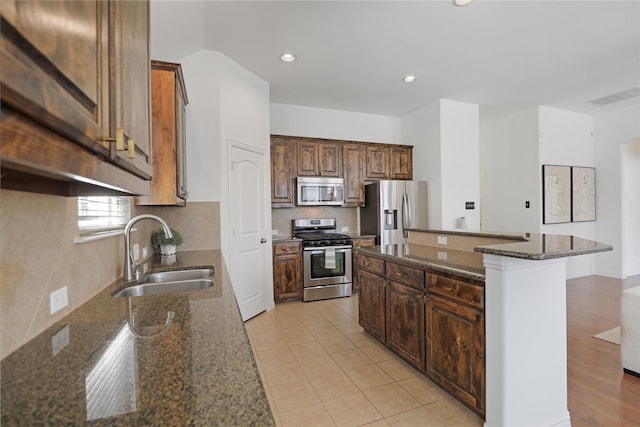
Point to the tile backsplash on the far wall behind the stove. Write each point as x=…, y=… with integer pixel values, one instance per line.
x=345, y=217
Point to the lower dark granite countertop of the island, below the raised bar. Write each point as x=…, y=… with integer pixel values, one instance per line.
x=460, y=263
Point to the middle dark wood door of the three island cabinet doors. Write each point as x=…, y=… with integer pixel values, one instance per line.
x=405, y=323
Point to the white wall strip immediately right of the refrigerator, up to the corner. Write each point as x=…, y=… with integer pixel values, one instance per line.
x=422, y=130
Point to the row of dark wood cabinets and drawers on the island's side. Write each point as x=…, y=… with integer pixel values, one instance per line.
x=441, y=333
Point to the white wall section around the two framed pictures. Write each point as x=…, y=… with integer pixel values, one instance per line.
x=565, y=138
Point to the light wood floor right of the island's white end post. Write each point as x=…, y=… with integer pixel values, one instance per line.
x=600, y=394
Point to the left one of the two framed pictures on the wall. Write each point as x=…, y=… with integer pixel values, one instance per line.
x=556, y=194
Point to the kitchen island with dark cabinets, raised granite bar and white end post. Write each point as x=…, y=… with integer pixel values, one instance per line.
x=483, y=315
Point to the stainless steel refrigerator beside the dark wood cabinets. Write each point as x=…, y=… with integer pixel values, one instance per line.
x=391, y=207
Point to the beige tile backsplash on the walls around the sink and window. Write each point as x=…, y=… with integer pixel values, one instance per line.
x=38, y=255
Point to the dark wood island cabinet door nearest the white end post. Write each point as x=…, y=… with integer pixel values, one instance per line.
x=455, y=349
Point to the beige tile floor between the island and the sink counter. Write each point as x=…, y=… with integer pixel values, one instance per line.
x=319, y=368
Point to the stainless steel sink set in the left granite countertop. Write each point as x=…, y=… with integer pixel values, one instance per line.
x=164, y=282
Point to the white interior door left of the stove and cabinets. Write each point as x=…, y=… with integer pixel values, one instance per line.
x=248, y=243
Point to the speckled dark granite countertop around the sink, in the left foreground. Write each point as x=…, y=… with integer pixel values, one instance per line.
x=89, y=368
